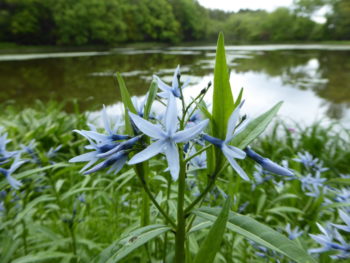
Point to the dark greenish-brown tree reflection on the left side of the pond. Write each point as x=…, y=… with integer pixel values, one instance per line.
x=87, y=79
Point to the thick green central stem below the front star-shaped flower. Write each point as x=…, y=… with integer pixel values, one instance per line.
x=180, y=236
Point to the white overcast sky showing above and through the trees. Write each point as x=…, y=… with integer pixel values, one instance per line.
x=269, y=5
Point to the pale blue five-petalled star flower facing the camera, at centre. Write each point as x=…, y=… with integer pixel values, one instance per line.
x=167, y=139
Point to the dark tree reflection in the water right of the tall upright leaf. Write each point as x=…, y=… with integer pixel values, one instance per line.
x=325, y=72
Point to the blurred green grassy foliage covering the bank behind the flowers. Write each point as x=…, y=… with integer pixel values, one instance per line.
x=62, y=216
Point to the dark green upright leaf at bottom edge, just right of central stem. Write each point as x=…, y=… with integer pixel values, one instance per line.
x=211, y=244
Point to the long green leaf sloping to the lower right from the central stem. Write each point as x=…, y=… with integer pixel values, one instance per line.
x=259, y=233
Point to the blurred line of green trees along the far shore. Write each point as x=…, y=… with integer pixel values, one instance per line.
x=106, y=22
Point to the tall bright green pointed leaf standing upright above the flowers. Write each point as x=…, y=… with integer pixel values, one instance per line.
x=222, y=94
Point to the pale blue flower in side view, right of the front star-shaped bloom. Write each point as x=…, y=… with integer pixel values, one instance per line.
x=230, y=151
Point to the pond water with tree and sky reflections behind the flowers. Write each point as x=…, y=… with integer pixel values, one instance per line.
x=313, y=81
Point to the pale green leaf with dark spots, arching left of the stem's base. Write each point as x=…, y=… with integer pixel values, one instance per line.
x=133, y=240
